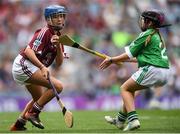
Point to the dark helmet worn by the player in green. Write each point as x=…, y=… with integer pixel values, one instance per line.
x=157, y=17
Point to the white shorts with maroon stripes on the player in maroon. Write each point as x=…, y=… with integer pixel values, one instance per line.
x=22, y=70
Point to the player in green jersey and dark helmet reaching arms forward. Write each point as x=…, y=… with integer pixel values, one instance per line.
x=149, y=50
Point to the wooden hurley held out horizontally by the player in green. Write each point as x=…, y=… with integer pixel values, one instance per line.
x=66, y=40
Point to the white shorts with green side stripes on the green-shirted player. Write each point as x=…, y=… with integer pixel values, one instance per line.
x=151, y=76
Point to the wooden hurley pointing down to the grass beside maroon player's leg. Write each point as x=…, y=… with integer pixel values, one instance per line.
x=68, y=117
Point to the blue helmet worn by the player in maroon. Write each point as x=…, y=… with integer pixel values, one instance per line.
x=52, y=10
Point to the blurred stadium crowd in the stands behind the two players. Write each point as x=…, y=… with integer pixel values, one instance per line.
x=103, y=25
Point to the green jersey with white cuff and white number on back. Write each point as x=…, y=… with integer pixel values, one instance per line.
x=153, y=53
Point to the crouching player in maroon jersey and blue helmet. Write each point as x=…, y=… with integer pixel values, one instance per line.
x=30, y=67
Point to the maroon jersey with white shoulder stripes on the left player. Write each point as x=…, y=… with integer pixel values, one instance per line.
x=42, y=46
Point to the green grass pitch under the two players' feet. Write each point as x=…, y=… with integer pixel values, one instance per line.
x=152, y=121
